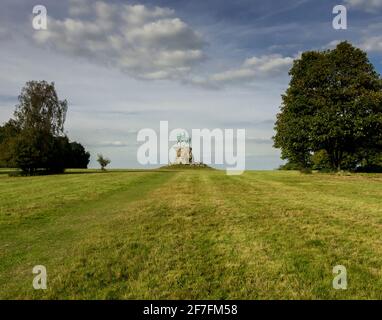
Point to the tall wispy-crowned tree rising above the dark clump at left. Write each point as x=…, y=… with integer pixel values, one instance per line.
x=40, y=115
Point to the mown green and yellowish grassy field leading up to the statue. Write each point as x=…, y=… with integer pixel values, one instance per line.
x=192, y=234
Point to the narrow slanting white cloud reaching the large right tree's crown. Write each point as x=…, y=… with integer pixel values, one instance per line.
x=252, y=69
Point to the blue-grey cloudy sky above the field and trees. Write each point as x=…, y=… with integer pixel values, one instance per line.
x=127, y=65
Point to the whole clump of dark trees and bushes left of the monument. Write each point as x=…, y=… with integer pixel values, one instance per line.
x=34, y=140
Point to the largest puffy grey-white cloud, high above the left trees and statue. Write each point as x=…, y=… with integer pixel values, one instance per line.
x=145, y=42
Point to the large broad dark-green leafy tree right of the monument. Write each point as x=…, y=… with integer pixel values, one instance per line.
x=333, y=103
